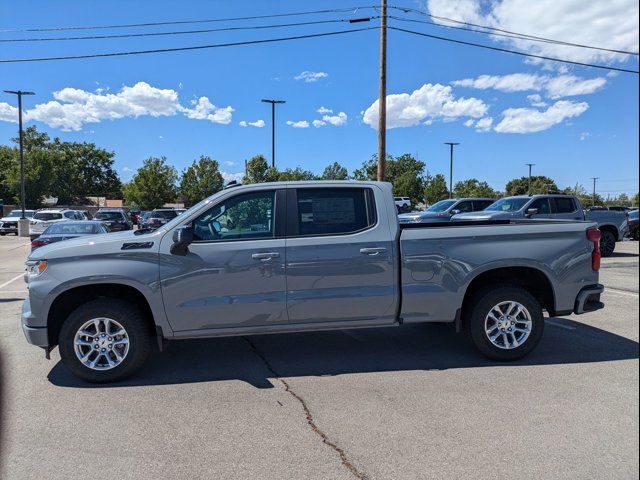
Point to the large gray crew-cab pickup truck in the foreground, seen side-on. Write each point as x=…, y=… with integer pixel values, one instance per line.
x=303, y=256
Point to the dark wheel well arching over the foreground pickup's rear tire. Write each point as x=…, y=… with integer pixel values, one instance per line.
x=531, y=279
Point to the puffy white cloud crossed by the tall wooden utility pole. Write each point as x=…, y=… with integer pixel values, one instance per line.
x=431, y=101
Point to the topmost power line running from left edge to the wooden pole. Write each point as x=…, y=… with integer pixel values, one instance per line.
x=184, y=22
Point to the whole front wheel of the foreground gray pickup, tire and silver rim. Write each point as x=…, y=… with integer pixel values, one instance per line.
x=104, y=340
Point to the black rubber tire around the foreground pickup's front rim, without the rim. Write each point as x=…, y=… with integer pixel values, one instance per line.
x=124, y=313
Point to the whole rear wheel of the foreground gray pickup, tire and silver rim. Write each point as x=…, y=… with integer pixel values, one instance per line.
x=506, y=323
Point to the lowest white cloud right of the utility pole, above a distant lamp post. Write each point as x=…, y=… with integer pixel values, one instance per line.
x=528, y=120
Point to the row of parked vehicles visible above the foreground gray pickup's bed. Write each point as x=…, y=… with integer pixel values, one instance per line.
x=612, y=221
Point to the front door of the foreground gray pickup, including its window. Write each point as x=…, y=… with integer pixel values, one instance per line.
x=233, y=275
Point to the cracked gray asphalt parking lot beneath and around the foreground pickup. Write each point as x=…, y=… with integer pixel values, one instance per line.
x=411, y=402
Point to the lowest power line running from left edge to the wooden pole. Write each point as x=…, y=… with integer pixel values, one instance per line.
x=182, y=49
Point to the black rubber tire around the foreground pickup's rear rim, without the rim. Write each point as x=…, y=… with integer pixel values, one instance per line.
x=480, y=306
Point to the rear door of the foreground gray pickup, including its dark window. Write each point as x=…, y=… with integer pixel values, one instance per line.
x=339, y=256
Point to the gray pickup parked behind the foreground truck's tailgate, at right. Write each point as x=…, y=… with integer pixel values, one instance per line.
x=612, y=224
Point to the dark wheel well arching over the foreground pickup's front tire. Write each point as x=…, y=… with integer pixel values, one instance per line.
x=71, y=299
